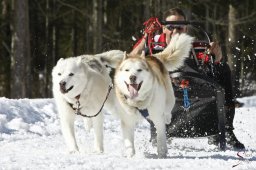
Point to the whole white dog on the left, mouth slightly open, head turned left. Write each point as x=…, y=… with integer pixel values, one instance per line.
x=82, y=86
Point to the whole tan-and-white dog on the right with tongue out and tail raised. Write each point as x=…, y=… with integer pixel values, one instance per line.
x=144, y=89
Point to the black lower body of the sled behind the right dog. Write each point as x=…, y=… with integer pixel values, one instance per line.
x=205, y=115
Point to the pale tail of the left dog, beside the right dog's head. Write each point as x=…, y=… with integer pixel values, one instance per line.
x=111, y=58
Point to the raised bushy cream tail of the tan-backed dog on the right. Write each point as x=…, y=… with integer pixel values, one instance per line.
x=175, y=53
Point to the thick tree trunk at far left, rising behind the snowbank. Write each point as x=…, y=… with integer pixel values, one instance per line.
x=20, y=60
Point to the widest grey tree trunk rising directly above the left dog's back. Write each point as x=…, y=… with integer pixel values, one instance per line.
x=97, y=25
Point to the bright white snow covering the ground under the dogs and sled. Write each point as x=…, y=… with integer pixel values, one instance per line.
x=30, y=138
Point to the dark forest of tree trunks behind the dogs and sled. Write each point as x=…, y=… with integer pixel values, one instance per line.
x=34, y=34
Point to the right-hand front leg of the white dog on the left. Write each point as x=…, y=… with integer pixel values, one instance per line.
x=98, y=133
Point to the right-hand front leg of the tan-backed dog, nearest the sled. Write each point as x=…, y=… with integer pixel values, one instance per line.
x=161, y=137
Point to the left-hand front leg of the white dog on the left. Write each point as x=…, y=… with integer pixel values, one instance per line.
x=67, y=127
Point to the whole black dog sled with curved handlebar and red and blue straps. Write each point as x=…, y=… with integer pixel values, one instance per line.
x=199, y=109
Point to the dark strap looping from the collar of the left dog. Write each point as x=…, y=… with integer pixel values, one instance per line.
x=77, y=109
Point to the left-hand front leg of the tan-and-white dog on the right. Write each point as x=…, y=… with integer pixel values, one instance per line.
x=128, y=137
